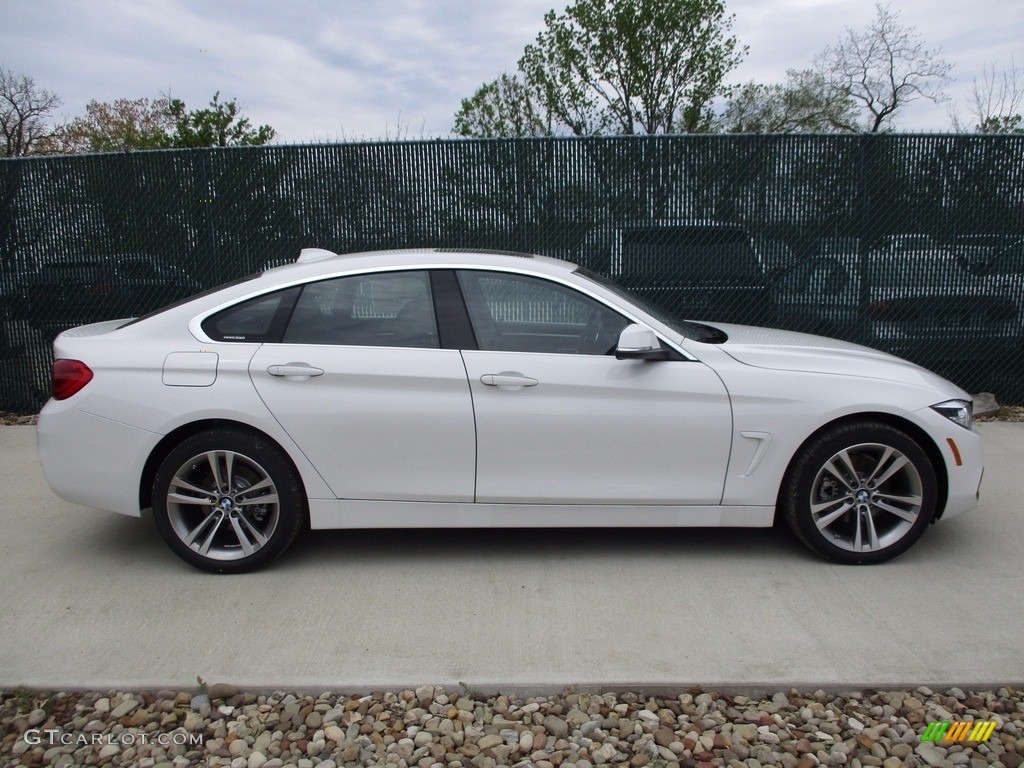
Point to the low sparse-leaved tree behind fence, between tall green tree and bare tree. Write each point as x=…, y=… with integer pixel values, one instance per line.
x=806, y=103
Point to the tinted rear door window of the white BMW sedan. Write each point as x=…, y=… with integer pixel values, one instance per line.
x=392, y=310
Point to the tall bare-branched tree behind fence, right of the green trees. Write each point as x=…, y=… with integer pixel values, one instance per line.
x=885, y=67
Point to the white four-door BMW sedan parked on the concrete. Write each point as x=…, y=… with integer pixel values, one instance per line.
x=448, y=389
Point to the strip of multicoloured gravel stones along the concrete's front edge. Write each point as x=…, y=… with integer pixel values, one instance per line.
x=431, y=728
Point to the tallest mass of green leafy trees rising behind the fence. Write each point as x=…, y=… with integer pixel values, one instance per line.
x=619, y=67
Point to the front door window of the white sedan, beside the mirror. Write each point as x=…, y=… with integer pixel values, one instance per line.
x=518, y=314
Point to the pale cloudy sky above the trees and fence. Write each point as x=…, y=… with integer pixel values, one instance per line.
x=337, y=70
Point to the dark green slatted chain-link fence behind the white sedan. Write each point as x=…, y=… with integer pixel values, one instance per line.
x=912, y=244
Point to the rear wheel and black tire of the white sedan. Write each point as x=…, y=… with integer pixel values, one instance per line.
x=229, y=501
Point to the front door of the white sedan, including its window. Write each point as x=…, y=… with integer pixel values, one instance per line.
x=561, y=420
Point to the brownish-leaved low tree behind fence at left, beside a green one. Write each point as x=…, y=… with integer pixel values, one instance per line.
x=125, y=124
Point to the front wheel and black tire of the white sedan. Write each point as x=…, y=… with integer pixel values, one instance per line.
x=861, y=494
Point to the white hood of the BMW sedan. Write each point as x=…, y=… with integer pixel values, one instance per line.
x=788, y=351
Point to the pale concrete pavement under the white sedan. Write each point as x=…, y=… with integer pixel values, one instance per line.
x=96, y=601
